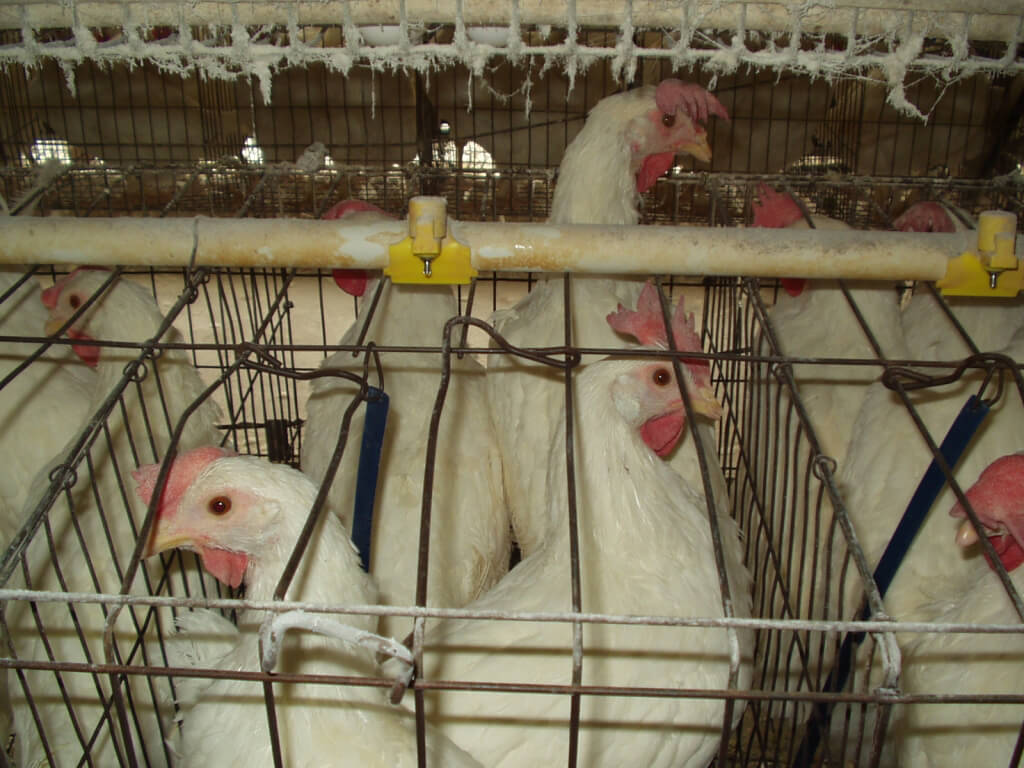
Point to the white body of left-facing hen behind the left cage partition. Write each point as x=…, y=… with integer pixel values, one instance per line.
x=107, y=528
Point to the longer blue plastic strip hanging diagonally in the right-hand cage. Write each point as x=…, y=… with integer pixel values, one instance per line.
x=956, y=442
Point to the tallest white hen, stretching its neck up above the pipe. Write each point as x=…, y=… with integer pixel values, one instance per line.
x=628, y=141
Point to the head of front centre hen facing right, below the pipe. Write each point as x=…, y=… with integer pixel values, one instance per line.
x=648, y=396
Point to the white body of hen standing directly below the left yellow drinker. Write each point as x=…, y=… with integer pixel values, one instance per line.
x=471, y=540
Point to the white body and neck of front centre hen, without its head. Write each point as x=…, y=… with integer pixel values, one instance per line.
x=645, y=548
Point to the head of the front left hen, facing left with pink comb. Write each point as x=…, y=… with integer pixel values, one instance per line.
x=210, y=505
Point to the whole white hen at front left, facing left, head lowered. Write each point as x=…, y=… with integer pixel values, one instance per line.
x=244, y=517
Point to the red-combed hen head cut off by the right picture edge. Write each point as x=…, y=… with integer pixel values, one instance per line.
x=998, y=498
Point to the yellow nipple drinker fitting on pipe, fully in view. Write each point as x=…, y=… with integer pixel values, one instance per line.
x=430, y=255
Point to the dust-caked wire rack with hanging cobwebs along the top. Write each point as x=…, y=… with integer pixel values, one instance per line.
x=892, y=42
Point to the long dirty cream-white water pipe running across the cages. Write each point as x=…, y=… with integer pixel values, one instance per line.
x=506, y=247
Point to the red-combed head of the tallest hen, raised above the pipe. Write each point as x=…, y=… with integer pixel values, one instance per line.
x=672, y=127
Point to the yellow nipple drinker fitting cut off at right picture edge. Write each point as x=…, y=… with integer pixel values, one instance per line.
x=994, y=269
